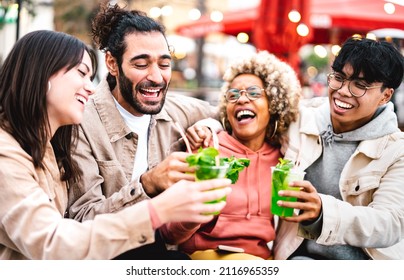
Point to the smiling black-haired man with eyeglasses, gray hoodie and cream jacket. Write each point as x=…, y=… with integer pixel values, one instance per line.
x=351, y=204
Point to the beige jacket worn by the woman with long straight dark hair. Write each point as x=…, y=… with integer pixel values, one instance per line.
x=33, y=202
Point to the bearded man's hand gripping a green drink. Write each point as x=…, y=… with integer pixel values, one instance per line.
x=171, y=170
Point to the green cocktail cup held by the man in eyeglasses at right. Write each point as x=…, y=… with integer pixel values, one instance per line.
x=280, y=181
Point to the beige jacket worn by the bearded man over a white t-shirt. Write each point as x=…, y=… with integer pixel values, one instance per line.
x=106, y=151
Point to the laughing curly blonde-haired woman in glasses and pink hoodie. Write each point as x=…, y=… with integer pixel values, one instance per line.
x=260, y=100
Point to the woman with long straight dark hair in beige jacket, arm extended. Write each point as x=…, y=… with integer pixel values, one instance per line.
x=45, y=83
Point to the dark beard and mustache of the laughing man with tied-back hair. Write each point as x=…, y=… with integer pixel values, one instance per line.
x=129, y=94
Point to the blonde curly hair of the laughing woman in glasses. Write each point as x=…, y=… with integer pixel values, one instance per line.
x=281, y=85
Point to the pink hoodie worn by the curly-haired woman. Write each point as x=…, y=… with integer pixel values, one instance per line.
x=246, y=221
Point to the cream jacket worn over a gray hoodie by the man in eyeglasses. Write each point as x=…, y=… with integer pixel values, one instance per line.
x=372, y=188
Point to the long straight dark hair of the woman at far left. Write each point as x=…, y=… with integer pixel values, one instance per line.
x=24, y=78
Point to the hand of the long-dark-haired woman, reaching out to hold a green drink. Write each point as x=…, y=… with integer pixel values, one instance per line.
x=185, y=201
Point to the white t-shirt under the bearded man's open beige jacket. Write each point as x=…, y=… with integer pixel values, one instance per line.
x=140, y=126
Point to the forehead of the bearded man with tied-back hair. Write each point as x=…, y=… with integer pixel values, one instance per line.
x=150, y=44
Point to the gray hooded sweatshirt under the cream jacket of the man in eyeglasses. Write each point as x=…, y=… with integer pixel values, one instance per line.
x=325, y=173
